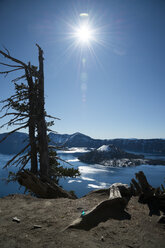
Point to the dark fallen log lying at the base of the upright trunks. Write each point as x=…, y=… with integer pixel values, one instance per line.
x=43, y=188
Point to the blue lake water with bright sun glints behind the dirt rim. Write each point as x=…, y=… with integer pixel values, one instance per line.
x=92, y=176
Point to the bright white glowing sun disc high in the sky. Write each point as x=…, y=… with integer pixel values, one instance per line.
x=84, y=34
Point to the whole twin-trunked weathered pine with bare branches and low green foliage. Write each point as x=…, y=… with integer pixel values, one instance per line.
x=27, y=110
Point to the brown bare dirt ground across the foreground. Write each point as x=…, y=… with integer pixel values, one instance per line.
x=56, y=214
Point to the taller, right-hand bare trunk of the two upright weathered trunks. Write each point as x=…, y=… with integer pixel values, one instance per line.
x=41, y=124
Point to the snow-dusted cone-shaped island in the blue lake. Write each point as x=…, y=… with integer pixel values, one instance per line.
x=110, y=155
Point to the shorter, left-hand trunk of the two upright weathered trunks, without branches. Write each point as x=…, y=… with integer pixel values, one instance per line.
x=32, y=122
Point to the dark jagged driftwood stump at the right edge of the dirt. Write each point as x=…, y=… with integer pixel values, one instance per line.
x=153, y=197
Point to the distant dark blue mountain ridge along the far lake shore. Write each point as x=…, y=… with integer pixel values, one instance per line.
x=16, y=141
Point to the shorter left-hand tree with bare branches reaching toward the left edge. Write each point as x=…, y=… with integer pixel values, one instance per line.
x=21, y=103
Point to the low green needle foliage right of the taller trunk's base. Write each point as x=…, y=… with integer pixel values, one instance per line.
x=56, y=171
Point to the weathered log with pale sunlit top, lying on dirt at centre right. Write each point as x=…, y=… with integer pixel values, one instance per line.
x=111, y=208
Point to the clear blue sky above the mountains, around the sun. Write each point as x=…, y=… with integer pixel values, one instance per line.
x=113, y=85
